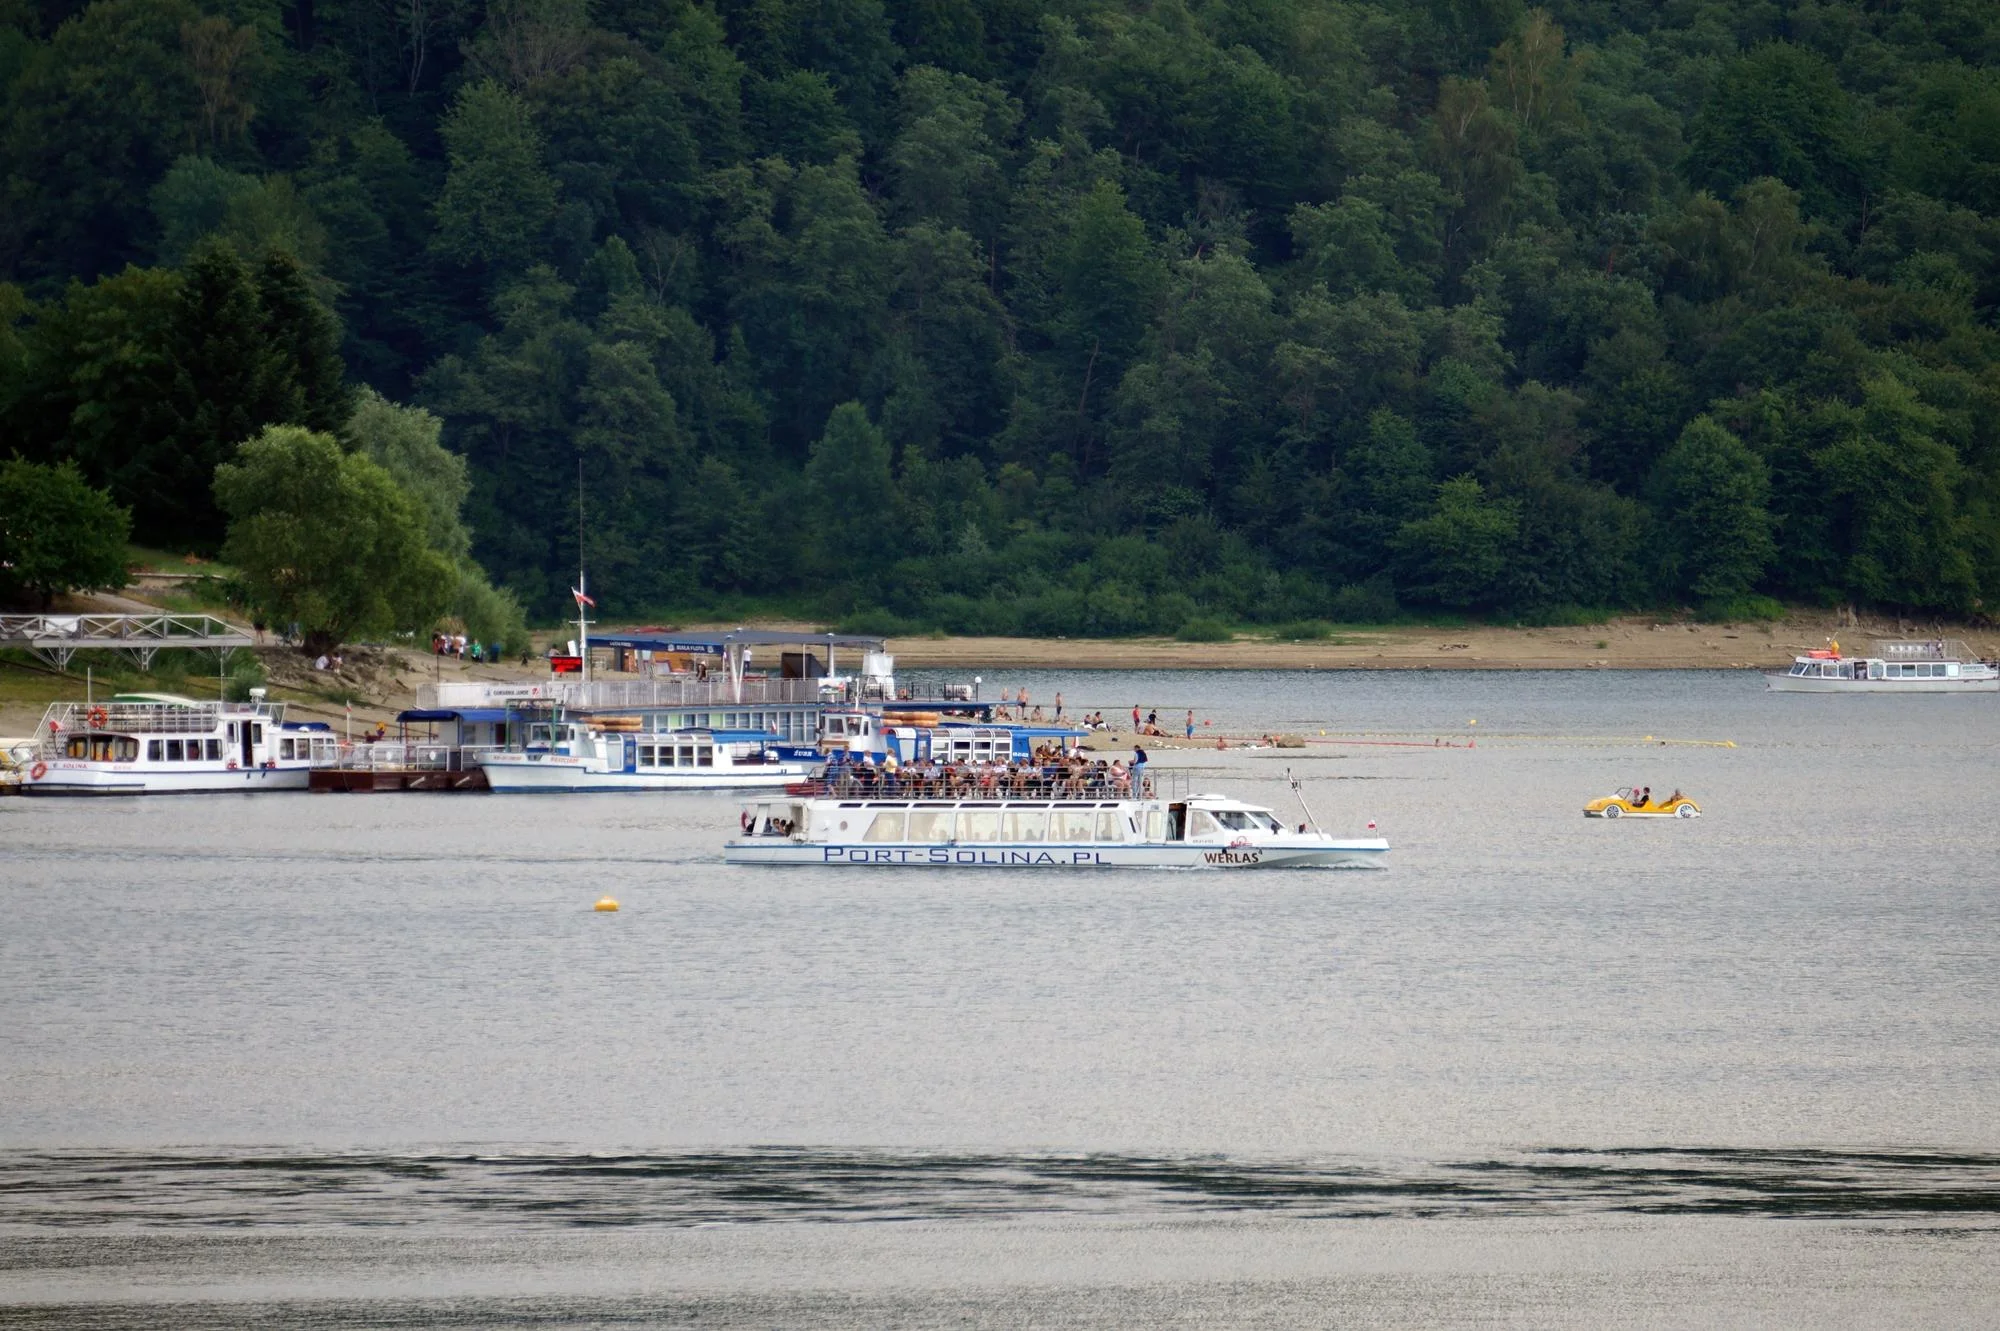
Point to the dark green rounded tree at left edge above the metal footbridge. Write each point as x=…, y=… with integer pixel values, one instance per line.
x=57, y=535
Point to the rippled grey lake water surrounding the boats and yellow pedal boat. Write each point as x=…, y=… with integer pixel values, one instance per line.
x=317, y=1060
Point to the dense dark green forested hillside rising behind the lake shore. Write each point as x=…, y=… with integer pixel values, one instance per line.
x=1047, y=317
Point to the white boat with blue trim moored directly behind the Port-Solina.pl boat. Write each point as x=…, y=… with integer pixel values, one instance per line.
x=605, y=754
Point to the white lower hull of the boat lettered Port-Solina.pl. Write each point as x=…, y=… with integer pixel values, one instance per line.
x=1293, y=854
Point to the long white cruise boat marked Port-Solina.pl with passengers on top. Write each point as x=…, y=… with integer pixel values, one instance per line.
x=1053, y=824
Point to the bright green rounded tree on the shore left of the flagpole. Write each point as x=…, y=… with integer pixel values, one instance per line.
x=327, y=541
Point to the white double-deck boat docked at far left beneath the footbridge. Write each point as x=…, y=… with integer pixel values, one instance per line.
x=163, y=744
